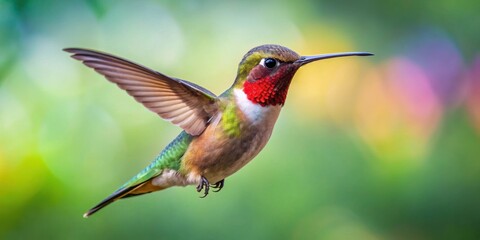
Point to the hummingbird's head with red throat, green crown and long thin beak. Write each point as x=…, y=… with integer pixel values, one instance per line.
x=266, y=71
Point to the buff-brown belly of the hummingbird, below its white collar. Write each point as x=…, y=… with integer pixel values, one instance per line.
x=217, y=155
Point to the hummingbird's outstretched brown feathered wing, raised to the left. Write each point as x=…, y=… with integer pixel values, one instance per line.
x=181, y=102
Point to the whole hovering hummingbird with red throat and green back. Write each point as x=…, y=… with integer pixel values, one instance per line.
x=221, y=134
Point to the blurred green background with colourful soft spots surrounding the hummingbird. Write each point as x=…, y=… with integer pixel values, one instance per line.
x=385, y=147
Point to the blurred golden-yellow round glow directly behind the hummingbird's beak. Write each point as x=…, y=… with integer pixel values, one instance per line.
x=325, y=90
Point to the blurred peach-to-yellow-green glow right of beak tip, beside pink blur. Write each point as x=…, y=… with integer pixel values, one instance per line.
x=385, y=126
